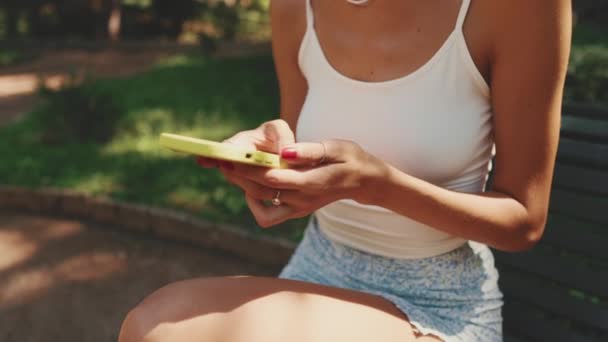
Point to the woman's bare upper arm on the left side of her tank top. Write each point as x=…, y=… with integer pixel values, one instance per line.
x=288, y=23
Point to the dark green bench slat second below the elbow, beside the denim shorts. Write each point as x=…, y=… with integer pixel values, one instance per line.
x=554, y=300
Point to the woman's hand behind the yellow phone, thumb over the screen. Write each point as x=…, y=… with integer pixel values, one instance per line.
x=270, y=136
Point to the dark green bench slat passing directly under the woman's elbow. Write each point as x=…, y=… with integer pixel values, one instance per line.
x=560, y=269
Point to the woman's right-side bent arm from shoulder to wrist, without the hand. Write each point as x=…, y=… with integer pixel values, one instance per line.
x=529, y=61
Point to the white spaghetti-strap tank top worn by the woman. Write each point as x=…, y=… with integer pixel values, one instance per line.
x=434, y=124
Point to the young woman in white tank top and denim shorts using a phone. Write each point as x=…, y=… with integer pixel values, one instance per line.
x=399, y=107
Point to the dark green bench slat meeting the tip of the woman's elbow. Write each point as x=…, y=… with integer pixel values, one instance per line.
x=576, y=236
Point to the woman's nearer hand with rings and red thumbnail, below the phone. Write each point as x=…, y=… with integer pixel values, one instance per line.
x=319, y=173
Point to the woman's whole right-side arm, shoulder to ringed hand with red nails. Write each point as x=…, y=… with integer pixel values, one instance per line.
x=530, y=50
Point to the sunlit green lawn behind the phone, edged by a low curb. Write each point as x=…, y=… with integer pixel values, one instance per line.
x=210, y=98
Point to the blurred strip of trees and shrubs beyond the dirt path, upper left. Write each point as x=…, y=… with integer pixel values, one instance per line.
x=140, y=19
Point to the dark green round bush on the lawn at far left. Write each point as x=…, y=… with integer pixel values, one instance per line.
x=83, y=113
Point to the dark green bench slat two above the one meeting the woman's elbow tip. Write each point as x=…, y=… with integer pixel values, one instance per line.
x=579, y=178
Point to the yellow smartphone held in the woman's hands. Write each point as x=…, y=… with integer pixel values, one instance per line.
x=221, y=151
